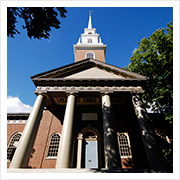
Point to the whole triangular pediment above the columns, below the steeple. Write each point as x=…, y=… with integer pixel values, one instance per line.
x=89, y=69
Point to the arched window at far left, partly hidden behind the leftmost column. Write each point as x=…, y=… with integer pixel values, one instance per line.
x=12, y=146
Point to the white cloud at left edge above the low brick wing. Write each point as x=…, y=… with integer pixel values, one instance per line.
x=14, y=105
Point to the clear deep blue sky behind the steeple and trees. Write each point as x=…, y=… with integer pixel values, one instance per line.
x=119, y=27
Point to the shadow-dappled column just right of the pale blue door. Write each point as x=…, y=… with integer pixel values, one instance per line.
x=111, y=152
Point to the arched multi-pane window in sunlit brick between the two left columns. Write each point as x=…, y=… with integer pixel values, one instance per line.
x=54, y=145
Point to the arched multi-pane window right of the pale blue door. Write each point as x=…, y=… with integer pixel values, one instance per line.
x=124, y=145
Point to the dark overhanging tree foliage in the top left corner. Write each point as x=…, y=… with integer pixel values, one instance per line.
x=38, y=20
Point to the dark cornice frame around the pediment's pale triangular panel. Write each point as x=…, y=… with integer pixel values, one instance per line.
x=58, y=74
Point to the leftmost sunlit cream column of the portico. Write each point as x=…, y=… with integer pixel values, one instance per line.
x=23, y=152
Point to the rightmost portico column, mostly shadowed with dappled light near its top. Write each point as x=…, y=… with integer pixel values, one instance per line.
x=151, y=145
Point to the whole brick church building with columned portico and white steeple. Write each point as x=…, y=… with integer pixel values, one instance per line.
x=87, y=114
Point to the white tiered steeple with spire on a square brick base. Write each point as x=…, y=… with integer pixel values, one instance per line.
x=90, y=45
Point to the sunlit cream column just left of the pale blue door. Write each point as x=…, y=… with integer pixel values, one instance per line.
x=64, y=152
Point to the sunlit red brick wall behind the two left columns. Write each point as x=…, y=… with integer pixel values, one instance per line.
x=49, y=124
